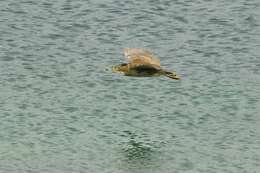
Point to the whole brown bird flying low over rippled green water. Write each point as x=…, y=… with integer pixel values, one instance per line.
x=142, y=63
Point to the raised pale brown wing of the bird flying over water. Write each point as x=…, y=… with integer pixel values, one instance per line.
x=139, y=57
